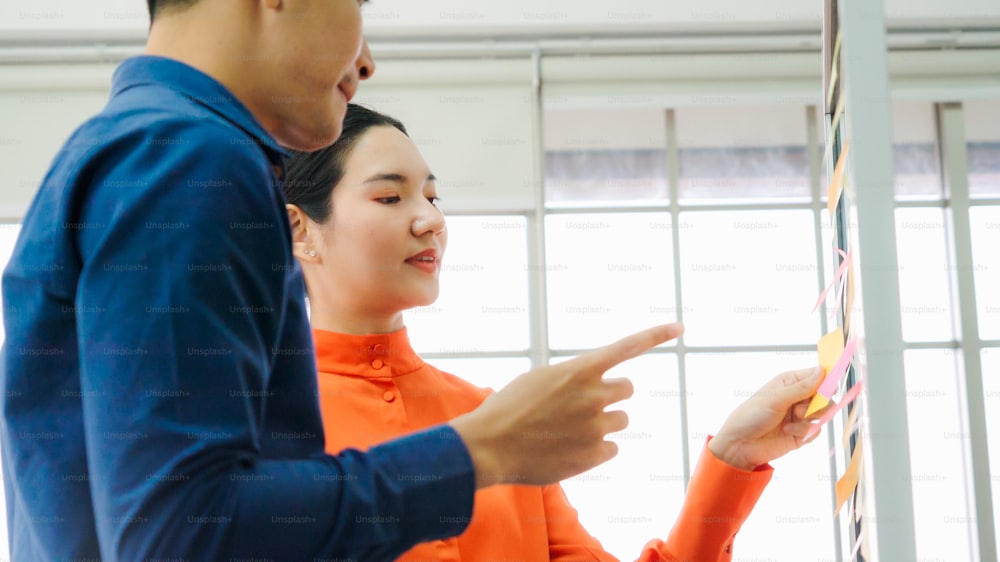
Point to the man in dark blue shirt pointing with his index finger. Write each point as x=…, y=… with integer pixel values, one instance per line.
x=159, y=387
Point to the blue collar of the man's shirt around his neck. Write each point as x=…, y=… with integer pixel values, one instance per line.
x=198, y=87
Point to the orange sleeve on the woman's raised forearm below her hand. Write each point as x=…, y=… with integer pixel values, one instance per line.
x=718, y=500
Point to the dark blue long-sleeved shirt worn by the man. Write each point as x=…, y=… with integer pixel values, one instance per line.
x=159, y=385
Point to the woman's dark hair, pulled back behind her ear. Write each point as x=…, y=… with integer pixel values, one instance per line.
x=311, y=176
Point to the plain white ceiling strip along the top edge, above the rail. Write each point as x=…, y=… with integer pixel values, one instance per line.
x=66, y=20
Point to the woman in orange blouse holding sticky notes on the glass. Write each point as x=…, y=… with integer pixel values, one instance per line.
x=372, y=248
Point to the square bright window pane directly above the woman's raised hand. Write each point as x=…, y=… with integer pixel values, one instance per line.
x=748, y=277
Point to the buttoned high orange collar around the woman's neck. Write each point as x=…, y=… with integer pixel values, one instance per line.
x=369, y=356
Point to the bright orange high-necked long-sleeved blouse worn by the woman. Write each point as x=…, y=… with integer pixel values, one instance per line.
x=373, y=388
